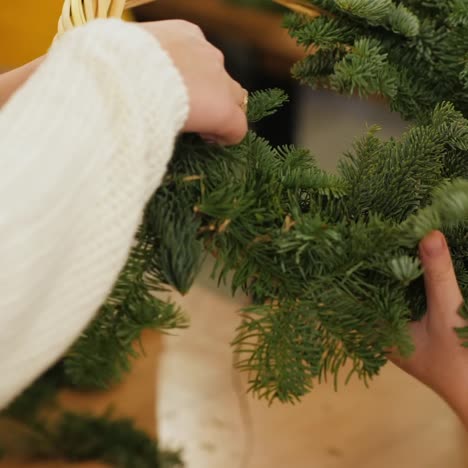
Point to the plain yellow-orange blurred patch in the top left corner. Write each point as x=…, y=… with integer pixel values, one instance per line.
x=27, y=28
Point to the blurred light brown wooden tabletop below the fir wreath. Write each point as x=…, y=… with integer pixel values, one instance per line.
x=202, y=407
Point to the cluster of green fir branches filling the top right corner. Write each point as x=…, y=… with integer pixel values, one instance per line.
x=415, y=54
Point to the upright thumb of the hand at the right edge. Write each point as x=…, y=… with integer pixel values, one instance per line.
x=442, y=291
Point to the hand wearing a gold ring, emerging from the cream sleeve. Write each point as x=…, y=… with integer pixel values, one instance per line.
x=216, y=100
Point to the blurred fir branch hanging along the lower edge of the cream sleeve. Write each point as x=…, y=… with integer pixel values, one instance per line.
x=104, y=351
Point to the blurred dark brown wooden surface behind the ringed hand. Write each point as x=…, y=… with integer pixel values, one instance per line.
x=258, y=28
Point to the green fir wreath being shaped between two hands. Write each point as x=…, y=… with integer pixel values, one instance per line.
x=330, y=260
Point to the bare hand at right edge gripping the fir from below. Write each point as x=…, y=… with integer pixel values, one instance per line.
x=440, y=361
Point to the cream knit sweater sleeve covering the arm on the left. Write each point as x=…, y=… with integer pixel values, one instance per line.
x=82, y=146
